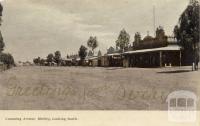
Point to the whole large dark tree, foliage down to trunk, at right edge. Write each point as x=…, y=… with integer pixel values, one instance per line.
x=187, y=31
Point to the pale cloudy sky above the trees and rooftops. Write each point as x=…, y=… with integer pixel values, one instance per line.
x=33, y=28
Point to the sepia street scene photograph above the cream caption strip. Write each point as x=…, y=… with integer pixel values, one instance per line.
x=100, y=55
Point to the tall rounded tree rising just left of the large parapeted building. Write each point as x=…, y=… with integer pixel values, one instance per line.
x=123, y=40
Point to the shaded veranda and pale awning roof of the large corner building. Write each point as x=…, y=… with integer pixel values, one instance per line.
x=154, y=57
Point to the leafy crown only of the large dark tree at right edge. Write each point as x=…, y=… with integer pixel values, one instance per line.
x=187, y=32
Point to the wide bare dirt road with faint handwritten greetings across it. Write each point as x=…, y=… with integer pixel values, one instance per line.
x=84, y=88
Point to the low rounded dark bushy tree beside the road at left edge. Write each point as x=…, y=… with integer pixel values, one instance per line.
x=7, y=59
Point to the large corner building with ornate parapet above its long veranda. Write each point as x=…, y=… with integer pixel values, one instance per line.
x=153, y=52
